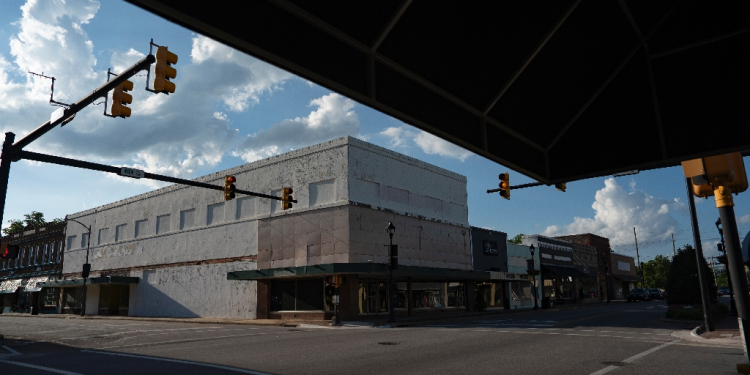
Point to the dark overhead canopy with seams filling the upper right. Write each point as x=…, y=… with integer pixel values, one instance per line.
x=557, y=90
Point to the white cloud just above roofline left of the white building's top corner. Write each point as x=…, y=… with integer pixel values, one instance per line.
x=332, y=119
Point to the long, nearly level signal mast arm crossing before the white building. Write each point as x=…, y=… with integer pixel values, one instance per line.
x=28, y=155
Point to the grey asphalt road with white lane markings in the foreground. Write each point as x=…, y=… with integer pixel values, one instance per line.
x=612, y=339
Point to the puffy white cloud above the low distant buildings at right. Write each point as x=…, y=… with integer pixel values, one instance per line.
x=618, y=211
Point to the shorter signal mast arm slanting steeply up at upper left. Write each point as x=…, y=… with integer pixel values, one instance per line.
x=74, y=108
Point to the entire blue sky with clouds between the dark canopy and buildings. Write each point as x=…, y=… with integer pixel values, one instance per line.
x=230, y=108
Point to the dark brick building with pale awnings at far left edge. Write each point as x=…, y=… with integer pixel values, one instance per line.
x=40, y=259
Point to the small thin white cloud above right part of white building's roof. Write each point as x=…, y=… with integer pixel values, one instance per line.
x=404, y=137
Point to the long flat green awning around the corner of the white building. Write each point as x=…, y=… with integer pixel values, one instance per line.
x=373, y=269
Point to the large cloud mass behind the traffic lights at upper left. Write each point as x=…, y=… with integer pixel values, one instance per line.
x=180, y=134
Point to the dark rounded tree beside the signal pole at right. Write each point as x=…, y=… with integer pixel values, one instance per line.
x=682, y=281
